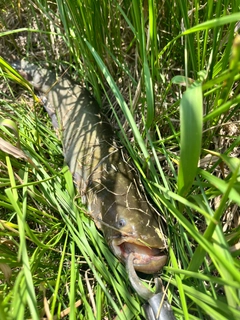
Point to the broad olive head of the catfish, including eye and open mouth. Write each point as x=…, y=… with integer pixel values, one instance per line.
x=130, y=225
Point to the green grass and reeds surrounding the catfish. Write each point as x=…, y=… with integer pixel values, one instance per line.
x=167, y=74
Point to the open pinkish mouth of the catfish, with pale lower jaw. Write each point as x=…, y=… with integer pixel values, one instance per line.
x=145, y=259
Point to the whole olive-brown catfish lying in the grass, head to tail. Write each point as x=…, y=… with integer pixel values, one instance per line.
x=108, y=185
